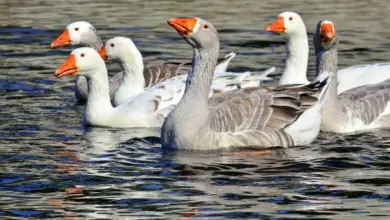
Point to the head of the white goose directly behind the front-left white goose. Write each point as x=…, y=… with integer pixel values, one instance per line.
x=120, y=48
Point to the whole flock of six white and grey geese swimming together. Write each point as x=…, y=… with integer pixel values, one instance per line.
x=201, y=106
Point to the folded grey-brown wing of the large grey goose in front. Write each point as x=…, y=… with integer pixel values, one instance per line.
x=257, y=117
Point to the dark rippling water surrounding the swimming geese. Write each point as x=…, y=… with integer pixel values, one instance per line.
x=51, y=167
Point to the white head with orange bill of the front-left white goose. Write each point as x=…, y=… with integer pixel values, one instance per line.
x=82, y=61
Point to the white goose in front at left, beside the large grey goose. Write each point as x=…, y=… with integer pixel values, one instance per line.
x=147, y=109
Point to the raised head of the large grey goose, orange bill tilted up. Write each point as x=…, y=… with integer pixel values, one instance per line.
x=197, y=32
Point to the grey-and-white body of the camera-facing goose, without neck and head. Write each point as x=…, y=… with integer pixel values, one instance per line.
x=362, y=108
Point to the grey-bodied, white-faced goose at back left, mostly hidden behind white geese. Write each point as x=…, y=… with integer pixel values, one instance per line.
x=84, y=33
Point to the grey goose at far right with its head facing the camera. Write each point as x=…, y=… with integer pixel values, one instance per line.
x=357, y=109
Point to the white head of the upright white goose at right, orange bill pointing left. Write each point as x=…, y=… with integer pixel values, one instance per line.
x=288, y=24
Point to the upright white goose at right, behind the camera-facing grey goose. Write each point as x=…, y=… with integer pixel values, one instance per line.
x=292, y=27
